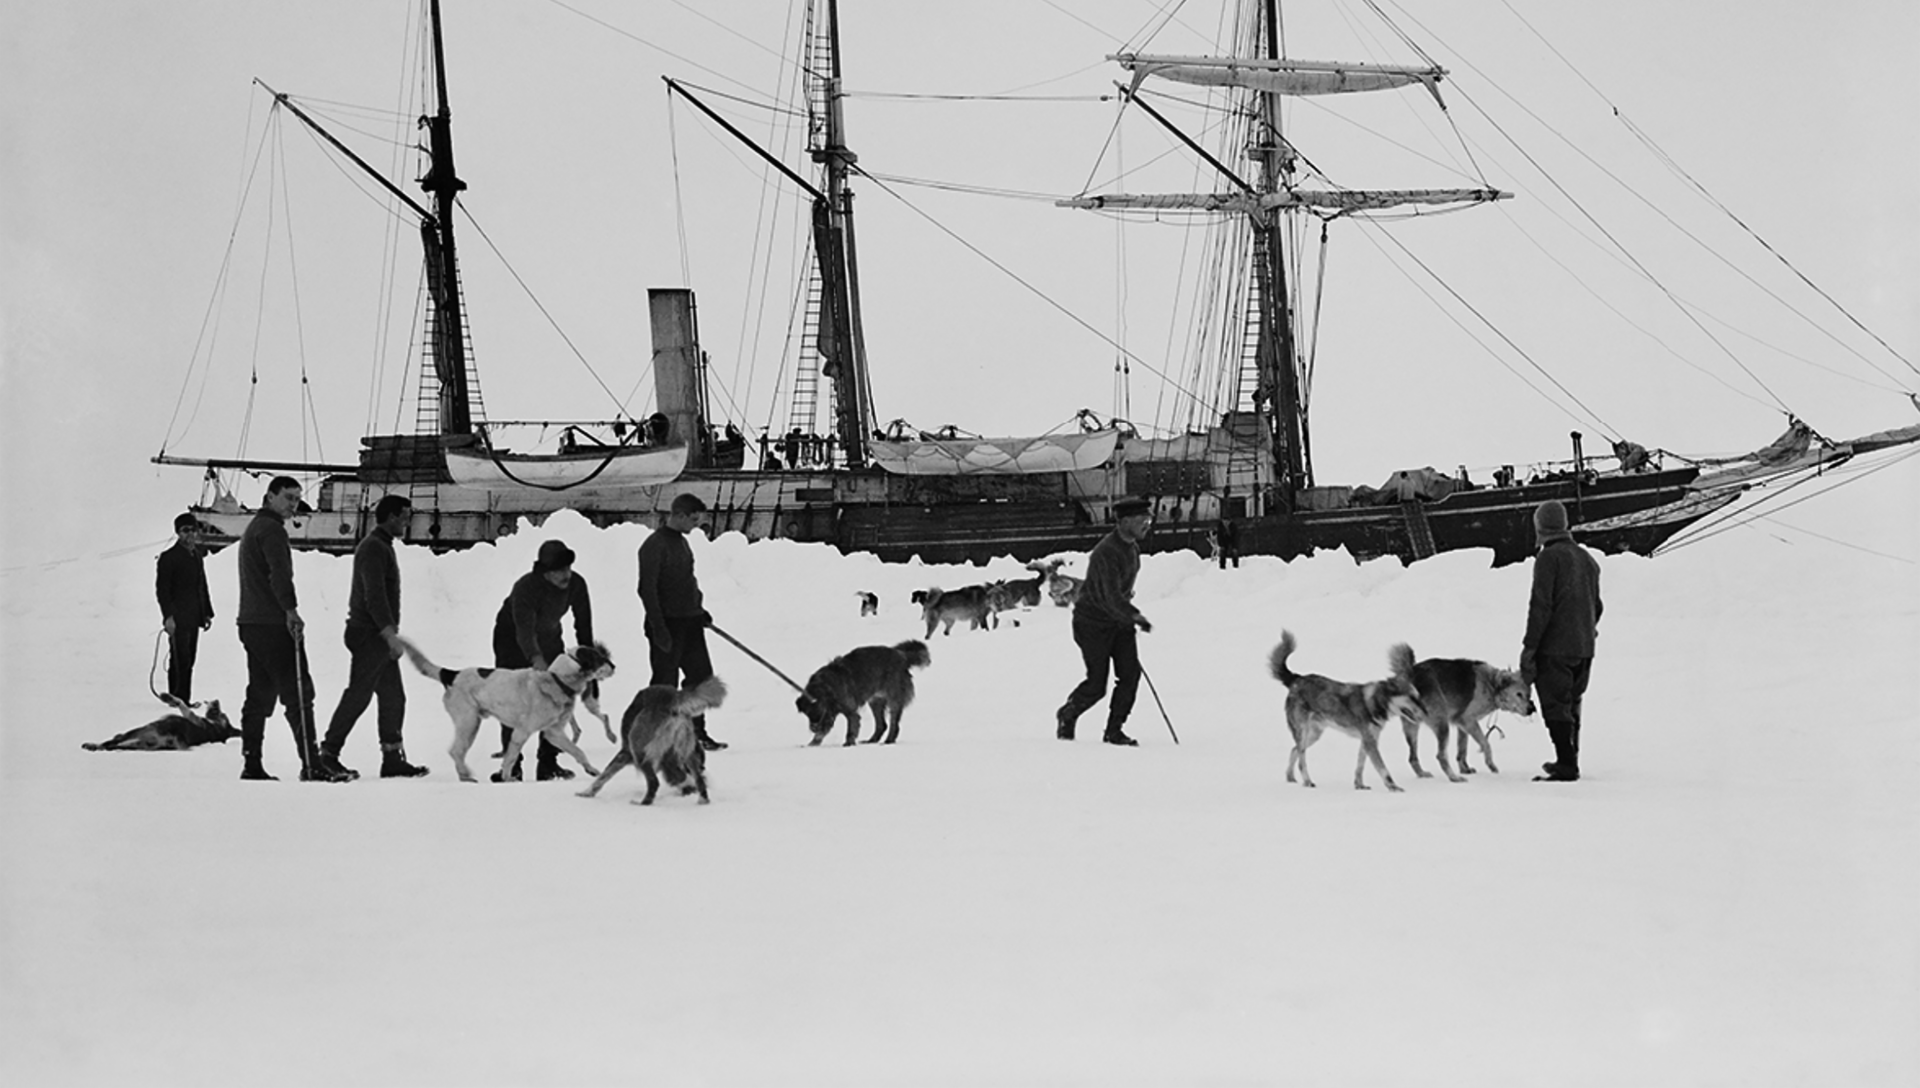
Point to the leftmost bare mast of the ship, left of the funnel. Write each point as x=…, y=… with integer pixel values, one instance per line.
x=443, y=270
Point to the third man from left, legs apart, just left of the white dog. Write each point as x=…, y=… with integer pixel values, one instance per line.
x=373, y=646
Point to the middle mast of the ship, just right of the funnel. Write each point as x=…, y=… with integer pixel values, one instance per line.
x=842, y=339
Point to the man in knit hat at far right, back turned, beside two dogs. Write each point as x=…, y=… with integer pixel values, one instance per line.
x=1562, y=625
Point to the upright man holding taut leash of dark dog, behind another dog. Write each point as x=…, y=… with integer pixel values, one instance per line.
x=677, y=615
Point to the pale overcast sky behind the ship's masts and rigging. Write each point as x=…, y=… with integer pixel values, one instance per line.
x=128, y=133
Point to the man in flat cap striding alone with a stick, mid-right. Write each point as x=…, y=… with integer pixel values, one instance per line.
x=1105, y=623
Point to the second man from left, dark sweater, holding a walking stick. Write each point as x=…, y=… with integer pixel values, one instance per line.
x=274, y=636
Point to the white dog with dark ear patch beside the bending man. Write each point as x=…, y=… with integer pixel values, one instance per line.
x=523, y=699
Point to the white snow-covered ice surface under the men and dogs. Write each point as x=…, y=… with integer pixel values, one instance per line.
x=1727, y=899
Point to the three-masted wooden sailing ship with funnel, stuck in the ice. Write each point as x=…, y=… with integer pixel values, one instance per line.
x=953, y=496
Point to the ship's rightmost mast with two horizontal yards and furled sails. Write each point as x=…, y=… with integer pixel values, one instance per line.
x=1272, y=201
